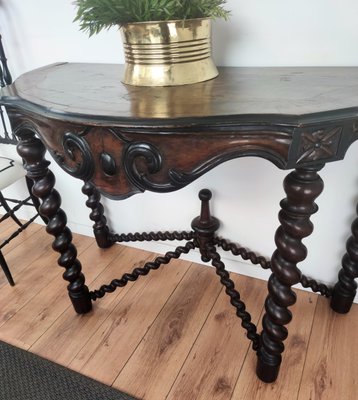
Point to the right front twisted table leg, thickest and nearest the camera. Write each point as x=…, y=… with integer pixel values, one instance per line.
x=302, y=186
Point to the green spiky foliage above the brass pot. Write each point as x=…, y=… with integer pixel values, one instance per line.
x=96, y=15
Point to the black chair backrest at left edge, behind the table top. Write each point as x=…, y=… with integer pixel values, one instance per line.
x=6, y=136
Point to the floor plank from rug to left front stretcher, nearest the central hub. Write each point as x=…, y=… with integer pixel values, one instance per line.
x=116, y=339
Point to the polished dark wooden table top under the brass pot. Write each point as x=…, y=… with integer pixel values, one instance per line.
x=75, y=91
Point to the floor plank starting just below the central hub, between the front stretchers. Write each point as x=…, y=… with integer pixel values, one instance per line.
x=163, y=350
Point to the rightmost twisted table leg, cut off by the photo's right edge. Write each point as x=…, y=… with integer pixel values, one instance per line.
x=346, y=288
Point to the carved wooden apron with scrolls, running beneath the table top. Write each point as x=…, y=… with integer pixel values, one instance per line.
x=122, y=161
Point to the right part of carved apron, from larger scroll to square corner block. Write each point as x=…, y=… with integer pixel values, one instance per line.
x=166, y=165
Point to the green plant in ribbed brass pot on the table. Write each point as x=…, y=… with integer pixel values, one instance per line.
x=166, y=42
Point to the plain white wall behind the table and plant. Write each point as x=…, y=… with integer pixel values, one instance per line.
x=246, y=191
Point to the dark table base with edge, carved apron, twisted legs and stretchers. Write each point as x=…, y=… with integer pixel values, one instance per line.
x=121, y=157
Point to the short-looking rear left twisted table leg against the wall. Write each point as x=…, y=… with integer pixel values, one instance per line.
x=100, y=228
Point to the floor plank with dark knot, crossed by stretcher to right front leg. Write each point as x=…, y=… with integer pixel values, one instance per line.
x=214, y=363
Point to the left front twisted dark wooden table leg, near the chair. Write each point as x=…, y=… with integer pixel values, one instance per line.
x=33, y=151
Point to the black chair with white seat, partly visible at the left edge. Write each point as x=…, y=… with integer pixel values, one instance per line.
x=11, y=171
